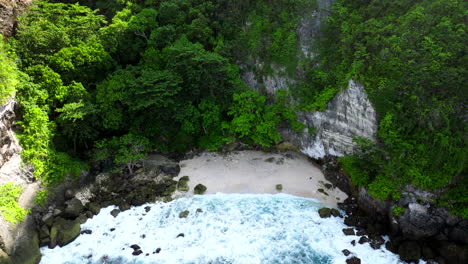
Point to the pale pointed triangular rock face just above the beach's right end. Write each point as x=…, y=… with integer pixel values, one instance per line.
x=350, y=114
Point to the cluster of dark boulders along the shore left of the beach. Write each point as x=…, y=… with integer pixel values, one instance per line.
x=60, y=224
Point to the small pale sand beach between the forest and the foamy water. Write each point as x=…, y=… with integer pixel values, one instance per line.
x=258, y=172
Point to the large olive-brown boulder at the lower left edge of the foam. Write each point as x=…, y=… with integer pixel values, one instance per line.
x=63, y=232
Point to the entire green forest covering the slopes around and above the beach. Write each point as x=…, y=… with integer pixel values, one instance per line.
x=113, y=80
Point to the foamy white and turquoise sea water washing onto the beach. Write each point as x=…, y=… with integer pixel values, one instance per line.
x=219, y=229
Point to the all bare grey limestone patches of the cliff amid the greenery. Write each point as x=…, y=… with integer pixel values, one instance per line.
x=350, y=114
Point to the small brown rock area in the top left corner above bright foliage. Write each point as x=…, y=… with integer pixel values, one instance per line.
x=9, y=11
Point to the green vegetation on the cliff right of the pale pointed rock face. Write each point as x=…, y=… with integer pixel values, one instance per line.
x=411, y=56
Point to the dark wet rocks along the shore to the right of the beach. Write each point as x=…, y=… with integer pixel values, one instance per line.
x=422, y=231
